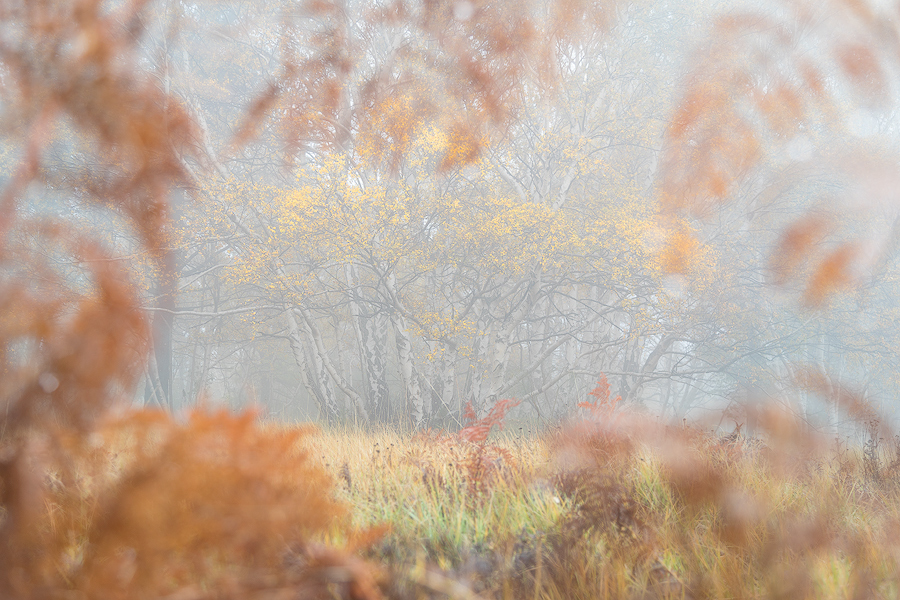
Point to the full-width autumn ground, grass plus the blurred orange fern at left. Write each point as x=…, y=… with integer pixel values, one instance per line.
x=215, y=505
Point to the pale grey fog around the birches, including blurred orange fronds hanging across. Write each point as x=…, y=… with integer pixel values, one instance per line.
x=375, y=230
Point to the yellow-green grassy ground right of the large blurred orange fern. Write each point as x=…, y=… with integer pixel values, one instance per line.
x=585, y=513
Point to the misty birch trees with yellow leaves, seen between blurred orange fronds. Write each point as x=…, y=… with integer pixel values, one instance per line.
x=350, y=282
